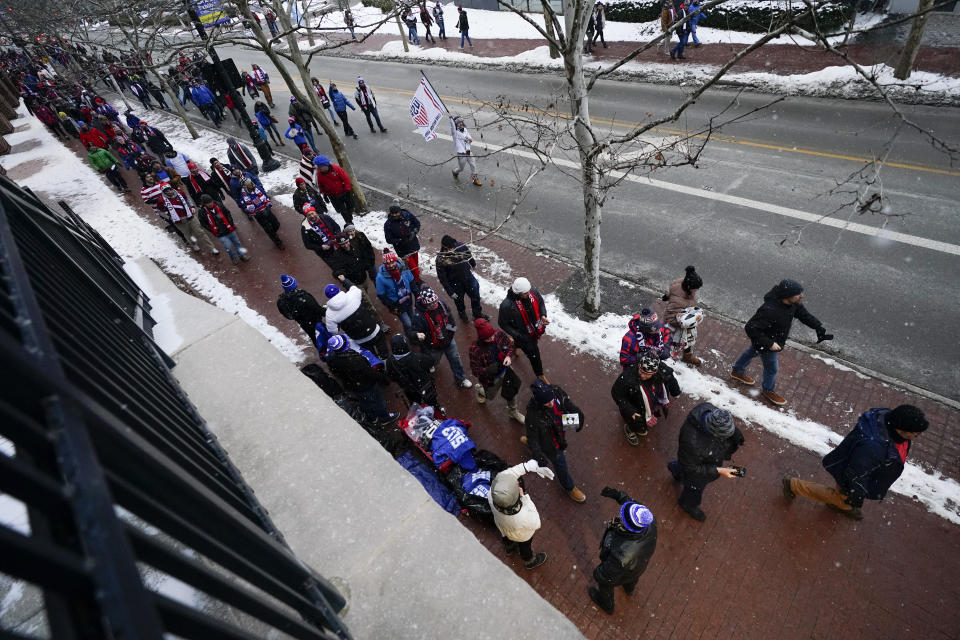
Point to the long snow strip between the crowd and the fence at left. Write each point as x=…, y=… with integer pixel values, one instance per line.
x=64, y=175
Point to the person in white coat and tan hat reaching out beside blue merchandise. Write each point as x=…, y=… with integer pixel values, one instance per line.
x=515, y=514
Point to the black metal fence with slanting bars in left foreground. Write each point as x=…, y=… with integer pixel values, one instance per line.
x=121, y=480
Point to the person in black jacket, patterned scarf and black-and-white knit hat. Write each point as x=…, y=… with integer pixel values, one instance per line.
x=642, y=393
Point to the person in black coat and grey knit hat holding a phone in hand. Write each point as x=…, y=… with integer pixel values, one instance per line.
x=707, y=438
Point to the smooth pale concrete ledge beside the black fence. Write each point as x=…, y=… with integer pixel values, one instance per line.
x=345, y=507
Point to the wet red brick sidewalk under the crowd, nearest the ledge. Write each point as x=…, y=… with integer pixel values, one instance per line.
x=759, y=567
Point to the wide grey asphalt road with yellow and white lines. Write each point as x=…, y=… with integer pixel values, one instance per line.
x=747, y=215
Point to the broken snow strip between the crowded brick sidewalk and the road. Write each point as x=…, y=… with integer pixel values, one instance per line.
x=601, y=337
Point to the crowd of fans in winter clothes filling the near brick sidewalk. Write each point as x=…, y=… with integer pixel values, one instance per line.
x=200, y=200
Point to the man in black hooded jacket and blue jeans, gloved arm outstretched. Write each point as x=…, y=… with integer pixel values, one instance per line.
x=768, y=331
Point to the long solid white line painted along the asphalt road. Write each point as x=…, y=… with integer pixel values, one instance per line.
x=797, y=214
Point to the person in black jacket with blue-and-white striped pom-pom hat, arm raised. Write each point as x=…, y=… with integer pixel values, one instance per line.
x=626, y=547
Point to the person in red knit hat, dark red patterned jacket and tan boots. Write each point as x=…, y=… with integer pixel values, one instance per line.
x=490, y=359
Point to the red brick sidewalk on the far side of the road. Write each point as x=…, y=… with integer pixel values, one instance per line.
x=781, y=59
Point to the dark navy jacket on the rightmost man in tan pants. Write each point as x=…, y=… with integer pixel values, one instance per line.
x=867, y=462
